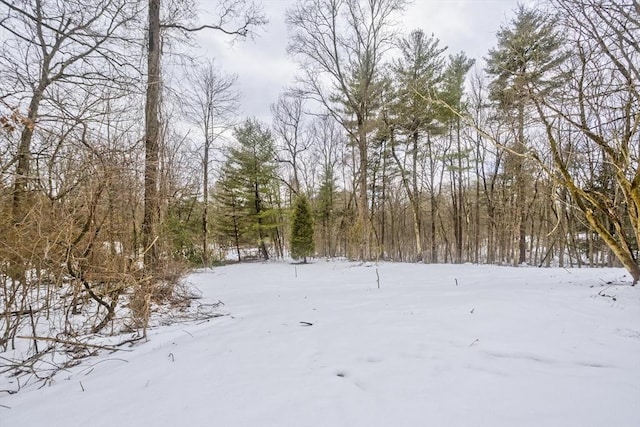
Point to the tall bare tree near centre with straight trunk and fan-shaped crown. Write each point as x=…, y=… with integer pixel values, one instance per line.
x=341, y=44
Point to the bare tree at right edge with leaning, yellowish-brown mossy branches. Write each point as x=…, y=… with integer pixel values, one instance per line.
x=595, y=115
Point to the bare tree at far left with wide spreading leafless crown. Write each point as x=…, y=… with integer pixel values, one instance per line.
x=53, y=44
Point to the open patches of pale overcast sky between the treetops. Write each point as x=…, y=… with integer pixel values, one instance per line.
x=264, y=69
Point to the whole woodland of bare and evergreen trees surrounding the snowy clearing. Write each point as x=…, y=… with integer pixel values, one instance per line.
x=124, y=161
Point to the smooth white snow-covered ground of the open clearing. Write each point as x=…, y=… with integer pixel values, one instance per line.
x=321, y=345
